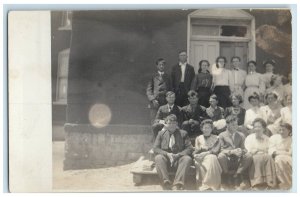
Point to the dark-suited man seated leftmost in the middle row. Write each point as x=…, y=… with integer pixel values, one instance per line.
x=164, y=111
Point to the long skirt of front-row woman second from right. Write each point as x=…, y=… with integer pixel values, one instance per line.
x=262, y=170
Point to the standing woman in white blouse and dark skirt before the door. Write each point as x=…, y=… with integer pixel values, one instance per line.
x=222, y=82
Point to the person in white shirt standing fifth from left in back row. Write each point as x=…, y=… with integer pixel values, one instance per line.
x=238, y=77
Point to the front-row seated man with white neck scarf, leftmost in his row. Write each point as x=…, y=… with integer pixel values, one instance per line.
x=173, y=148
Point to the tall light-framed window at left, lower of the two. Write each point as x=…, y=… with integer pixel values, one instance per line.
x=62, y=76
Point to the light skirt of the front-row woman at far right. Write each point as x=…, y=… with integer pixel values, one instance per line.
x=283, y=165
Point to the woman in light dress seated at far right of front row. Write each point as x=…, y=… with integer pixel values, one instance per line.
x=281, y=150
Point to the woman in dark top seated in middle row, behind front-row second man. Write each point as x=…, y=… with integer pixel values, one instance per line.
x=236, y=109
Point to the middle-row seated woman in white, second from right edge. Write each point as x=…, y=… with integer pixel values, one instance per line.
x=271, y=112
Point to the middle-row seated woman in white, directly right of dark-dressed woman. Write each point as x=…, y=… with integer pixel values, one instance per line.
x=253, y=112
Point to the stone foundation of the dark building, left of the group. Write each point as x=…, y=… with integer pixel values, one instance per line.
x=90, y=147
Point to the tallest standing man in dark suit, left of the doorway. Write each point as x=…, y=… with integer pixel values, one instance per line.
x=182, y=76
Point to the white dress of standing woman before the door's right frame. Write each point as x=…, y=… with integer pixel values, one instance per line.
x=253, y=83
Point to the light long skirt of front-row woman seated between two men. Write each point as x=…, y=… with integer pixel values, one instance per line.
x=208, y=171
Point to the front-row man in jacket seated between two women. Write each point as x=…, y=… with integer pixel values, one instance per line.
x=233, y=157
